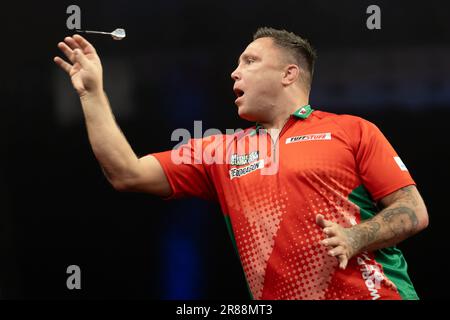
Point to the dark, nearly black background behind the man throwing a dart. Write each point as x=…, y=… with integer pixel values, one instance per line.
x=57, y=209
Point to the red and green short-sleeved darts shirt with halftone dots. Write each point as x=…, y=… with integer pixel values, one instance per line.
x=335, y=165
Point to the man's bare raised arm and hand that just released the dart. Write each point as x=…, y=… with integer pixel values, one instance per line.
x=124, y=170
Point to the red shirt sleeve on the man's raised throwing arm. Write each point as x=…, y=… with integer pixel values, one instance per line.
x=187, y=174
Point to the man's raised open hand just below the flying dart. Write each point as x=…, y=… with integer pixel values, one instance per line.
x=84, y=66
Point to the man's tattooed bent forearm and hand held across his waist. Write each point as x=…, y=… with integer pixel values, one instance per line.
x=404, y=215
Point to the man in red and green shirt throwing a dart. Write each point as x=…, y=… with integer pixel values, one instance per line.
x=310, y=229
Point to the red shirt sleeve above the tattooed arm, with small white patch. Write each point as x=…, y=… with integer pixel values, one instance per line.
x=380, y=168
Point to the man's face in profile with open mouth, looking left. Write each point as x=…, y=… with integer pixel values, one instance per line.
x=257, y=79
